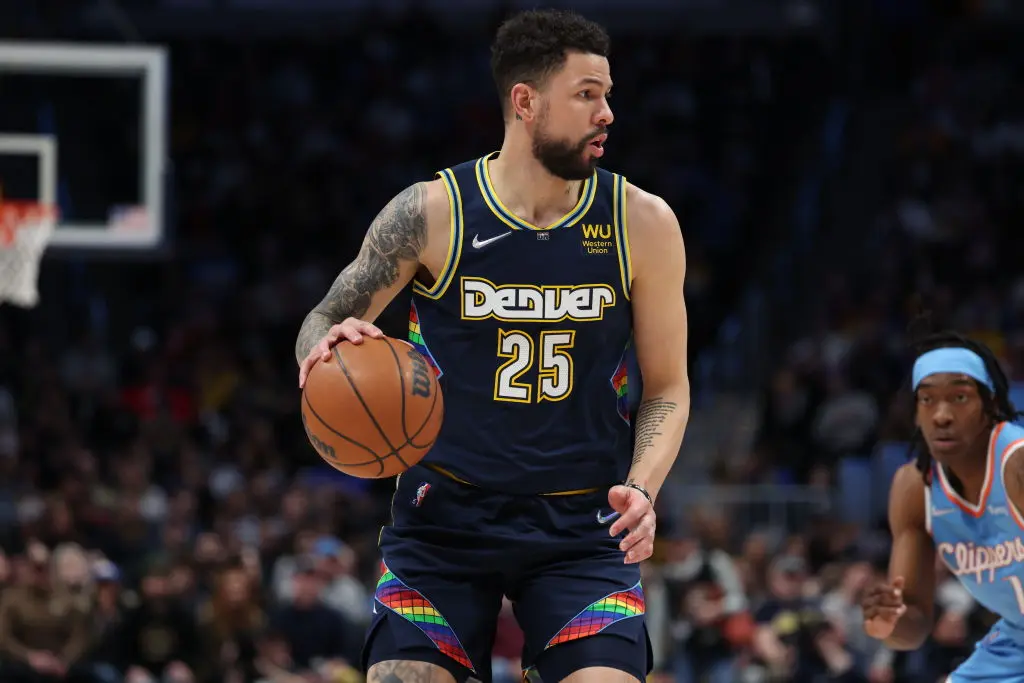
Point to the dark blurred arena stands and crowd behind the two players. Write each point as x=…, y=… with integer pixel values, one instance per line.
x=835, y=166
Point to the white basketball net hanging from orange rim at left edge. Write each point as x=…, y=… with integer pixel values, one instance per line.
x=25, y=230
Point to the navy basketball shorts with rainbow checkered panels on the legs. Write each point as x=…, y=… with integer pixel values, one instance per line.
x=455, y=550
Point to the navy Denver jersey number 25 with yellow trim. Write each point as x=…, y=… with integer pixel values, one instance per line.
x=528, y=330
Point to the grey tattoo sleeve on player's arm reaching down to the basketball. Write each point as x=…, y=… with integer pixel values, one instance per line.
x=398, y=234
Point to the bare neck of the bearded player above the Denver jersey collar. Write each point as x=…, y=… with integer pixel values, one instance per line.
x=527, y=188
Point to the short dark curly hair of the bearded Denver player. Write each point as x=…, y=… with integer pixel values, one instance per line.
x=533, y=46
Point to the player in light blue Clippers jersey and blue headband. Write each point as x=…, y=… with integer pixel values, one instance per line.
x=963, y=499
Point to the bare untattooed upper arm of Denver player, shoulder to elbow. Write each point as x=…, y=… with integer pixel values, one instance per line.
x=660, y=325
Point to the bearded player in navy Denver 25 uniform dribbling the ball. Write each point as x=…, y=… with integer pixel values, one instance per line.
x=533, y=272
